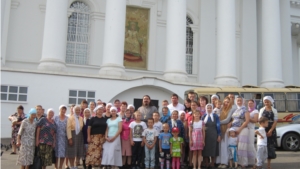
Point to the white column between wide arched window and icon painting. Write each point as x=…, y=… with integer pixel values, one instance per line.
x=113, y=51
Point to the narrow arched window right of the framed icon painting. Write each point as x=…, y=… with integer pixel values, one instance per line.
x=189, y=46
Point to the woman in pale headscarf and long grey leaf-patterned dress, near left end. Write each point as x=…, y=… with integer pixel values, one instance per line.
x=26, y=138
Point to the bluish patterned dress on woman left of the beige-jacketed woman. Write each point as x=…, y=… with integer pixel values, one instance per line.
x=61, y=137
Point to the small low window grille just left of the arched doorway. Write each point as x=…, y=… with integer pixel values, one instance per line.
x=76, y=96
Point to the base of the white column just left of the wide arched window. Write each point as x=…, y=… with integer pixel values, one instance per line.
x=52, y=65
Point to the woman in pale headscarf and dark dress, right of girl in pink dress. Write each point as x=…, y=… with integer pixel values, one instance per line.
x=212, y=136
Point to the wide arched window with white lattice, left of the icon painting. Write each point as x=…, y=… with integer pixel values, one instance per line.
x=78, y=34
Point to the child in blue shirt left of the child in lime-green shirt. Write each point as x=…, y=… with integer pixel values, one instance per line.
x=164, y=147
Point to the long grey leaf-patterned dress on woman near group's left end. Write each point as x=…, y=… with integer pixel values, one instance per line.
x=26, y=153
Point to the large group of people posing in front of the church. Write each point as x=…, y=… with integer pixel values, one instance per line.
x=194, y=134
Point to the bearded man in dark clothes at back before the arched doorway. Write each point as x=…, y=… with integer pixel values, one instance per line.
x=147, y=108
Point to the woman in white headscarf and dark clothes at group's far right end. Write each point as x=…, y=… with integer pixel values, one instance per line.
x=271, y=113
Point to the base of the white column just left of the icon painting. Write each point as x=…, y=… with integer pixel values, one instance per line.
x=112, y=70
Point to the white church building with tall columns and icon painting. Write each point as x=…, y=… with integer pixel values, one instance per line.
x=57, y=52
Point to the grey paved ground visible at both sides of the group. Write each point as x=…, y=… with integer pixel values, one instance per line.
x=284, y=160
